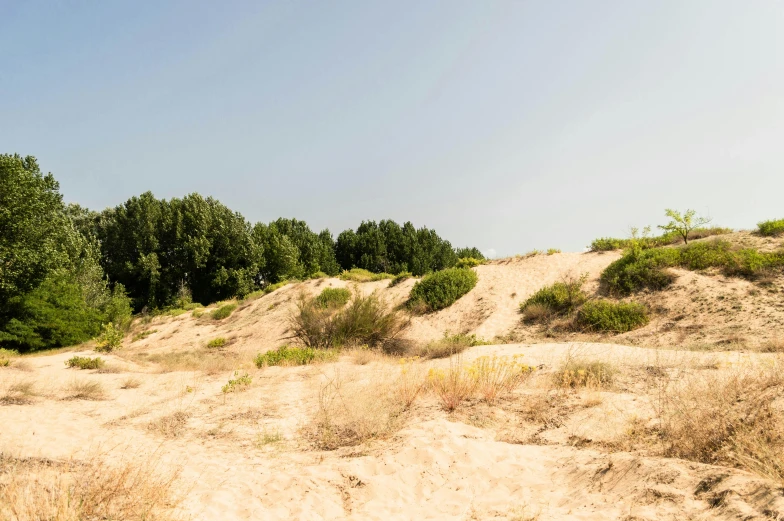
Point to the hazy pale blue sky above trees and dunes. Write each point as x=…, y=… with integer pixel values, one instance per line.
x=505, y=125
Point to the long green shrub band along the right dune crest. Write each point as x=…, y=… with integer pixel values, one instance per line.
x=640, y=269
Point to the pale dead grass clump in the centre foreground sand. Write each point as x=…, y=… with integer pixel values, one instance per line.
x=352, y=412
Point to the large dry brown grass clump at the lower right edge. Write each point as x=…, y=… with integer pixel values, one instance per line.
x=728, y=419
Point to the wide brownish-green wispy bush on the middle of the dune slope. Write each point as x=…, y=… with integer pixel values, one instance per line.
x=365, y=320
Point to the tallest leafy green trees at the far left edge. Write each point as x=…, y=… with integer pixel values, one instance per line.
x=52, y=289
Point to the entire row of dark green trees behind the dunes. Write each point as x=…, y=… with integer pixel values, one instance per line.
x=65, y=270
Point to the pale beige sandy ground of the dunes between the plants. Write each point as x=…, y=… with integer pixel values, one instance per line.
x=250, y=455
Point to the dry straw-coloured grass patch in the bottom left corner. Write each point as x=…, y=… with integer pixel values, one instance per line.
x=38, y=489
